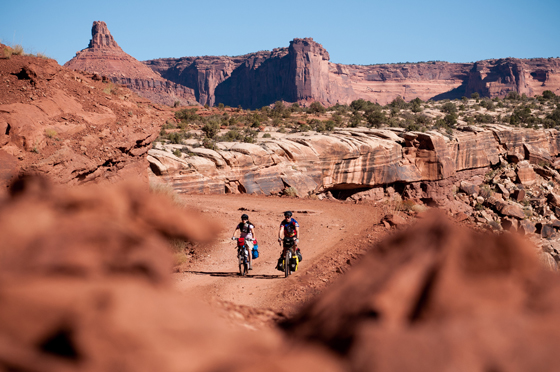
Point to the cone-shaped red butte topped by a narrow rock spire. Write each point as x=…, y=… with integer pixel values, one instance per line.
x=104, y=57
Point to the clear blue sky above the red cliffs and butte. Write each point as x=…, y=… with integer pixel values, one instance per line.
x=353, y=32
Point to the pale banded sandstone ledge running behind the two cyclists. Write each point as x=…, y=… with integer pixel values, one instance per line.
x=350, y=159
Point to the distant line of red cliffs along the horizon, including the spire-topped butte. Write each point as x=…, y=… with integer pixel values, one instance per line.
x=302, y=72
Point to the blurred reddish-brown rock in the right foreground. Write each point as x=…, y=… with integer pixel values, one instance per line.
x=429, y=296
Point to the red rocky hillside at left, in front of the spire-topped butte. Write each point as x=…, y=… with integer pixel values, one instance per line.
x=72, y=126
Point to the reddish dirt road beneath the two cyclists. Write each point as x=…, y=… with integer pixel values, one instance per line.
x=327, y=227
